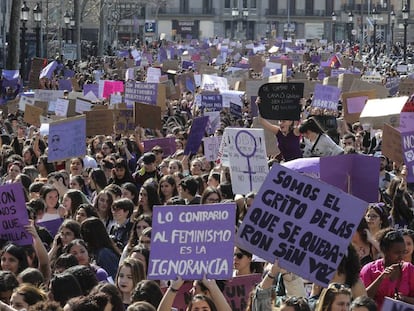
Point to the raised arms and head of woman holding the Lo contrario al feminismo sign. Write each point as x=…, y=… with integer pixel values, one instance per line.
x=216, y=301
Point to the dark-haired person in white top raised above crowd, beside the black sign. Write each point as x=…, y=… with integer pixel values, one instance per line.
x=317, y=143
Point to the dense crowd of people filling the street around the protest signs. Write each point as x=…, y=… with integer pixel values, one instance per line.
x=98, y=259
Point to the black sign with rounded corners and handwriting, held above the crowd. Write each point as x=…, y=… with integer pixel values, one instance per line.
x=281, y=101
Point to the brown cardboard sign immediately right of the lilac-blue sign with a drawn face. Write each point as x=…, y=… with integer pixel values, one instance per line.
x=99, y=122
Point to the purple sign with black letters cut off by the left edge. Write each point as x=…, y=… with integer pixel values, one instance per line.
x=14, y=215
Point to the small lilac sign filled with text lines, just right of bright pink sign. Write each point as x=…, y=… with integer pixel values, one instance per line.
x=145, y=93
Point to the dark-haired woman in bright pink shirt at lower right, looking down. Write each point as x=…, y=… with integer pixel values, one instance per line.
x=389, y=276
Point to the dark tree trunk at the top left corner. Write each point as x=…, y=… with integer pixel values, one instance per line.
x=13, y=53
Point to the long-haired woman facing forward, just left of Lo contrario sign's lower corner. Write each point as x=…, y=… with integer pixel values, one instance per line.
x=130, y=272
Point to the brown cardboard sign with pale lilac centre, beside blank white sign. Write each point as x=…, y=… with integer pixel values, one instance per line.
x=354, y=102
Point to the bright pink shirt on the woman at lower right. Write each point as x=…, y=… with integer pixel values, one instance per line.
x=387, y=288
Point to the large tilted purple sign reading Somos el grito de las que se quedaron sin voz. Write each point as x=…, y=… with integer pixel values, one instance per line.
x=305, y=223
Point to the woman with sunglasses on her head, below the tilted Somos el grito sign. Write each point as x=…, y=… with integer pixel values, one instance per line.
x=337, y=297
